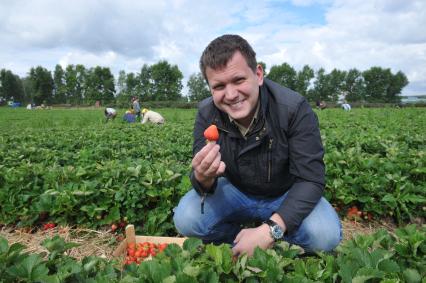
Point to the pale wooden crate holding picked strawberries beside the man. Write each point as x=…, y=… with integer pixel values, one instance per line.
x=131, y=237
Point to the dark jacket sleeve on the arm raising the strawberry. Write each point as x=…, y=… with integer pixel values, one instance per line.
x=201, y=123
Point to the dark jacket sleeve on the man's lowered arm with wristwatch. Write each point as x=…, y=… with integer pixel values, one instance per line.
x=306, y=164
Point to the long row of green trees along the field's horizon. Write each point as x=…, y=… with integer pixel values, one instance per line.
x=78, y=85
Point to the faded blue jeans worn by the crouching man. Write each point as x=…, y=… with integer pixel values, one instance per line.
x=227, y=209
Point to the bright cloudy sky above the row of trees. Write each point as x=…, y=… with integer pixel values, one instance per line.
x=125, y=34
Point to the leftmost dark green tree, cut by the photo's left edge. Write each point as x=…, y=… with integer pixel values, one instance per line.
x=11, y=87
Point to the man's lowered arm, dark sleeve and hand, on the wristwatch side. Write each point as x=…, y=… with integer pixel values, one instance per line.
x=306, y=164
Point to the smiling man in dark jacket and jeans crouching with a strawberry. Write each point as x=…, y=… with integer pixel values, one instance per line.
x=266, y=166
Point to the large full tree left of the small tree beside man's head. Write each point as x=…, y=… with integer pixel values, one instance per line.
x=167, y=81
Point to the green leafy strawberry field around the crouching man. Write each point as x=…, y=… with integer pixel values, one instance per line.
x=69, y=167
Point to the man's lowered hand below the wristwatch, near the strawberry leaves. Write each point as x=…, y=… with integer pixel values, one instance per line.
x=248, y=239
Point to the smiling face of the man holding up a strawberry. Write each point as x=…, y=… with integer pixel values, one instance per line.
x=235, y=88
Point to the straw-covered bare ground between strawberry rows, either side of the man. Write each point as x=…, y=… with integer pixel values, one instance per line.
x=103, y=243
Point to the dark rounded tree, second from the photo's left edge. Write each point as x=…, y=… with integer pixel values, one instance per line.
x=42, y=85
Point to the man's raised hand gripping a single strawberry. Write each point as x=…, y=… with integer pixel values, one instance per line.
x=207, y=165
